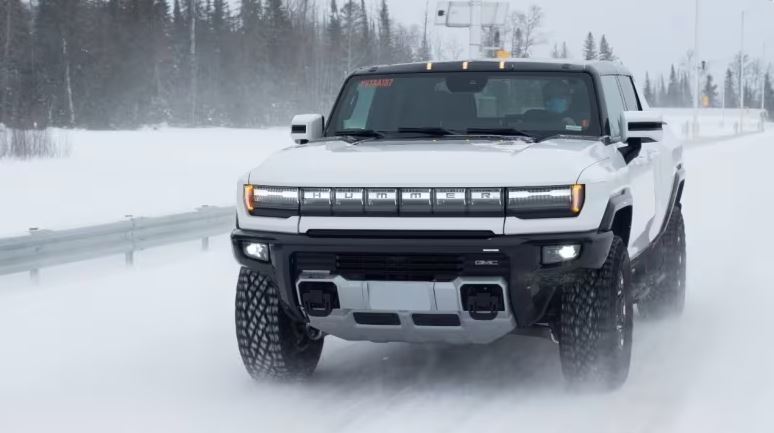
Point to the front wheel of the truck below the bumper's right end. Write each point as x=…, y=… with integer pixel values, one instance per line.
x=595, y=329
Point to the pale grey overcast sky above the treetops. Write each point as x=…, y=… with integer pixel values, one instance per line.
x=648, y=35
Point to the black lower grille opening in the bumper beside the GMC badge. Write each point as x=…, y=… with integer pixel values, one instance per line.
x=403, y=267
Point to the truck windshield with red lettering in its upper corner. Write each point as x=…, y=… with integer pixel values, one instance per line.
x=505, y=103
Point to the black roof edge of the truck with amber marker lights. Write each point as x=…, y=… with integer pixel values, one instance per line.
x=492, y=65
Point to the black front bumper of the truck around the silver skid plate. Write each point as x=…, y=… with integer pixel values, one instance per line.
x=529, y=286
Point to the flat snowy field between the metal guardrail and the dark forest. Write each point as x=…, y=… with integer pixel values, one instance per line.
x=111, y=174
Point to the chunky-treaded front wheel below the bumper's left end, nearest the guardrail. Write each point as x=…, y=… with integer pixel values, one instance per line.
x=270, y=342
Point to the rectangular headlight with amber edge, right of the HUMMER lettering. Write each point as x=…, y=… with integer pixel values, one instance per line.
x=546, y=202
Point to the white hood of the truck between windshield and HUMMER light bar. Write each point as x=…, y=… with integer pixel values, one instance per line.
x=429, y=163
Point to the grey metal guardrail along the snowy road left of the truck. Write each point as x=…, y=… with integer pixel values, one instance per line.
x=44, y=248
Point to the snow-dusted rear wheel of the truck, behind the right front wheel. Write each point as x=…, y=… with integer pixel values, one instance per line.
x=666, y=296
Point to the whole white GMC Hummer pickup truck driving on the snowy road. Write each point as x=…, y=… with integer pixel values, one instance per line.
x=462, y=202
